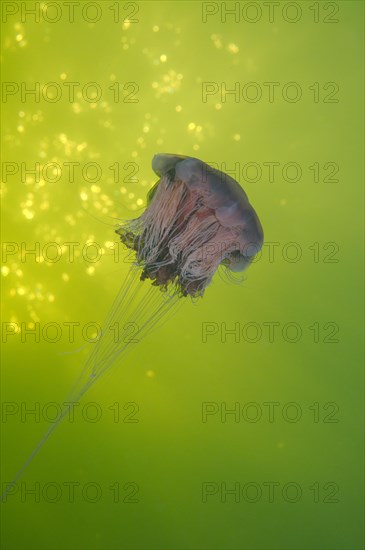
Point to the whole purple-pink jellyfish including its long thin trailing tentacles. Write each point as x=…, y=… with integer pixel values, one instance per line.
x=197, y=218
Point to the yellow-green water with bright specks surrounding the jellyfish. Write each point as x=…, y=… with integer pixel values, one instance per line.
x=163, y=481
